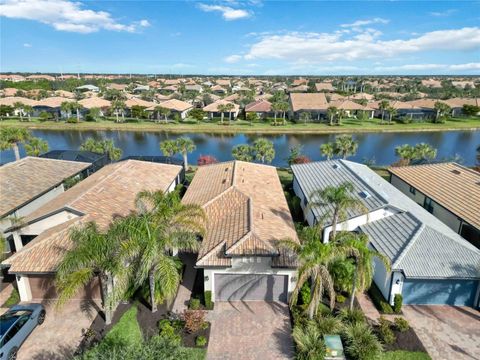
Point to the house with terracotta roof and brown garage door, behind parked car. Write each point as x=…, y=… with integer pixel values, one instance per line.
x=101, y=197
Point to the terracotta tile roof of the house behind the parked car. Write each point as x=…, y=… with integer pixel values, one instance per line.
x=108, y=193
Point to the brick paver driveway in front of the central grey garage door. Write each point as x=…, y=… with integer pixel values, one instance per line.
x=250, y=330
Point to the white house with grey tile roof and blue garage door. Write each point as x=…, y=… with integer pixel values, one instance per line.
x=431, y=263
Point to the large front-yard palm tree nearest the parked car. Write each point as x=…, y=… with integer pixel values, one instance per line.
x=94, y=254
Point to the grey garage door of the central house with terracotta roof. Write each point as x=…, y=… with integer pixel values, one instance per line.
x=251, y=287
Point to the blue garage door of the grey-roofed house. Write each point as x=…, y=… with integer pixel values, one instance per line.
x=440, y=292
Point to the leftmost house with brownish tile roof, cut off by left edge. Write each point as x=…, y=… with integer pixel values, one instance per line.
x=29, y=183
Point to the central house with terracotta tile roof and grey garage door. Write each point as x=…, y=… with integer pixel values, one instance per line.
x=247, y=216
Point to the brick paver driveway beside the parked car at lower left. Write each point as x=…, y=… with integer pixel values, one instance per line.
x=59, y=336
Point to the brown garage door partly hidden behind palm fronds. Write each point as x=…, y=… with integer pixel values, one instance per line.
x=43, y=287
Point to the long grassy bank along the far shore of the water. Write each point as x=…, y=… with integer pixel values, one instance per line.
x=242, y=126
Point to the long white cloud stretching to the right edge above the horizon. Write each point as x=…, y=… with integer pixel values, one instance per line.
x=316, y=48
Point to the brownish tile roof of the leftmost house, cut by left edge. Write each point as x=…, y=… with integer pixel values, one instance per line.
x=23, y=180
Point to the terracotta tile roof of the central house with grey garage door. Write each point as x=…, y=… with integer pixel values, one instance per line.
x=246, y=210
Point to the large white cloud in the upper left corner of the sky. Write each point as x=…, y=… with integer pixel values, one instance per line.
x=64, y=15
